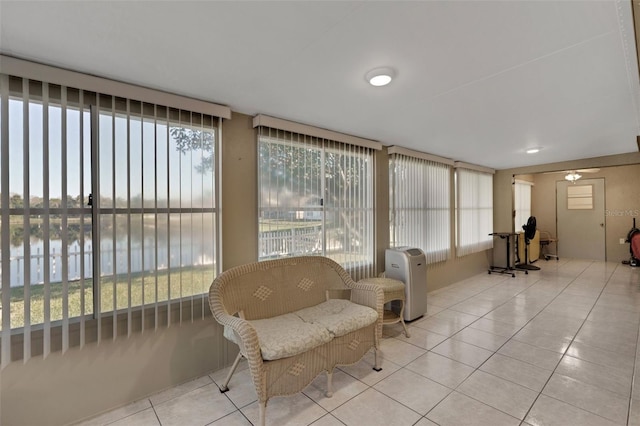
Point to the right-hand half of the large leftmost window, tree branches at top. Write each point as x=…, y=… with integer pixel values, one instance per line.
x=156, y=210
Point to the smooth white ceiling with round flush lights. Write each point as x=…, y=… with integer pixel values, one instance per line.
x=477, y=81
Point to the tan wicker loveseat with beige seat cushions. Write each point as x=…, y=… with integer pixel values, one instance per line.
x=294, y=318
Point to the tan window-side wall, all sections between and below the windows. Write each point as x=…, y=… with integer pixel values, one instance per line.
x=99, y=377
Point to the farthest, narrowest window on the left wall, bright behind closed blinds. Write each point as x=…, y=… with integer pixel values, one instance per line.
x=474, y=205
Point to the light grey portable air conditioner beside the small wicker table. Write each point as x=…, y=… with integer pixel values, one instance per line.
x=409, y=265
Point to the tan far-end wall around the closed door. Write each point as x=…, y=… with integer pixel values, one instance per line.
x=622, y=192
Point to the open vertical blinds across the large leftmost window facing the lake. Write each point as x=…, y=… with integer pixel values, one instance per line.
x=141, y=256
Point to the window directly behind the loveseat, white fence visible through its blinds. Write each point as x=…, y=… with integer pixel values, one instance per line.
x=315, y=198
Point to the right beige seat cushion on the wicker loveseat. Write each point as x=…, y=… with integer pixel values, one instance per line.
x=339, y=316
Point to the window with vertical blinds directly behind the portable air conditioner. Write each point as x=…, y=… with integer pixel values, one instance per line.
x=420, y=207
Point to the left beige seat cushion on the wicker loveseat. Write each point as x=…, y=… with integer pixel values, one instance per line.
x=285, y=335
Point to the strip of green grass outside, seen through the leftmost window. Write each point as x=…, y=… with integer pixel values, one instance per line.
x=146, y=288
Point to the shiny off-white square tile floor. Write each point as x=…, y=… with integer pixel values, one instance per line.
x=555, y=347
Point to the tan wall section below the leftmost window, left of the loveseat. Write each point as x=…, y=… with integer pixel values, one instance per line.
x=80, y=383
